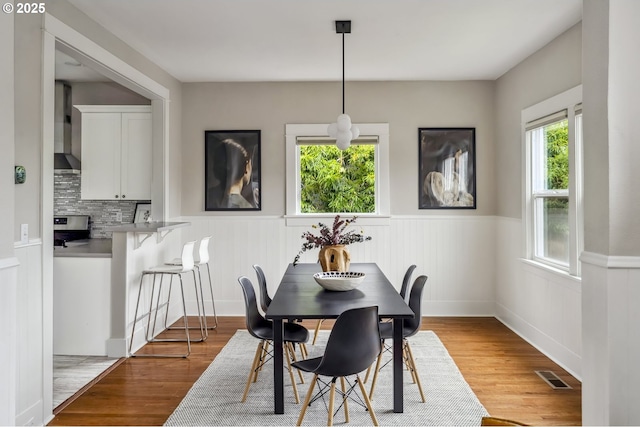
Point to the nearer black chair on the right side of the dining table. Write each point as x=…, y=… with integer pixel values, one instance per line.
x=410, y=327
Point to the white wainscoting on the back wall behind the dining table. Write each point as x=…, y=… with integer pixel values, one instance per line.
x=457, y=253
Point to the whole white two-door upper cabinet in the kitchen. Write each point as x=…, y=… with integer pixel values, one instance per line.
x=116, y=152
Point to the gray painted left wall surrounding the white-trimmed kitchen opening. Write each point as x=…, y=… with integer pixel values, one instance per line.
x=28, y=59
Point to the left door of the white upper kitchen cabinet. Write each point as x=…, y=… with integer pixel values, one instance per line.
x=101, y=136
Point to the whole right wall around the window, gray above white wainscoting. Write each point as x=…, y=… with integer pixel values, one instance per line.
x=541, y=306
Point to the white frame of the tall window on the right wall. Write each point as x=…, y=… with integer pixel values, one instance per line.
x=569, y=101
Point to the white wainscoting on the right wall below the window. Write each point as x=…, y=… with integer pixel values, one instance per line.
x=543, y=307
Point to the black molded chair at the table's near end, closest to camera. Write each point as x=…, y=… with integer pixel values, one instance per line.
x=353, y=345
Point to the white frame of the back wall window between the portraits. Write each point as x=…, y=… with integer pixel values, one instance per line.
x=294, y=132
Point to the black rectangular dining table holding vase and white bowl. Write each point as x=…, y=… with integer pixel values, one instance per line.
x=300, y=297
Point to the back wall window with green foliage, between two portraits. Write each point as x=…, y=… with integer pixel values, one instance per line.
x=323, y=180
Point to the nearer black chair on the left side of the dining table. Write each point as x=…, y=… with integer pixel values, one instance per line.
x=262, y=329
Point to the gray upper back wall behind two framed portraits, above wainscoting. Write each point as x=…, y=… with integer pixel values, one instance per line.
x=406, y=106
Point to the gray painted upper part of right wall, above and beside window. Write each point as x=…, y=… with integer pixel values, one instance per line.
x=548, y=72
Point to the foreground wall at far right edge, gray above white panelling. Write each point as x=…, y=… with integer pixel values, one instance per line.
x=611, y=261
